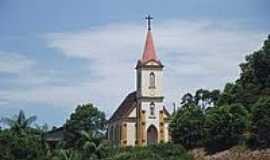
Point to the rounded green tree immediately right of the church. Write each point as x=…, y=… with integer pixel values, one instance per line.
x=187, y=126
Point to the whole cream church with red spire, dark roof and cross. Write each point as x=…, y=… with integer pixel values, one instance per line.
x=142, y=118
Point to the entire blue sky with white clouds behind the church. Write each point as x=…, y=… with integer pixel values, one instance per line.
x=56, y=54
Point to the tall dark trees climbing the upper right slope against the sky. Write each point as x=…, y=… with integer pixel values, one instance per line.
x=254, y=81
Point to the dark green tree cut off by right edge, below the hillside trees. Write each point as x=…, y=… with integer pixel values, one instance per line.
x=260, y=123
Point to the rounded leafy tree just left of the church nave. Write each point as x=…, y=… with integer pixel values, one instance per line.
x=86, y=118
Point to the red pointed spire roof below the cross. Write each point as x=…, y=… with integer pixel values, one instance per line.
x=149, y=52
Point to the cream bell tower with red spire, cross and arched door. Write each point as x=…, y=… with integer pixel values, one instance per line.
x=149, y=76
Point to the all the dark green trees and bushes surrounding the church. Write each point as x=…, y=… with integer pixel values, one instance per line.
x=214, y=120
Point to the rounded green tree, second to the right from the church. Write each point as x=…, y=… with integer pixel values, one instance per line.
x=225, y=126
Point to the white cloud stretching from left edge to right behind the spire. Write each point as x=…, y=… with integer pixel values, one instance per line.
x=195, y=54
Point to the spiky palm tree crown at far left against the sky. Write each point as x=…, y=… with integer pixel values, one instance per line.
x=19, y=123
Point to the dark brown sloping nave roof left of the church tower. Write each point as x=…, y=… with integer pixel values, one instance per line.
x=125, y=107
